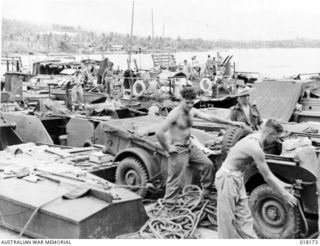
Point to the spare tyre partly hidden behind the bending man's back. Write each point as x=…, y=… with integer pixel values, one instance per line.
x=233, y=135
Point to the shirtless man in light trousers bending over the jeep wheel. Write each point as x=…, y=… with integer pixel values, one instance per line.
x=234, y=215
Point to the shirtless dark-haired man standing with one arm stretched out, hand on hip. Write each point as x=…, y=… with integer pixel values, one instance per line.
x=174, y=137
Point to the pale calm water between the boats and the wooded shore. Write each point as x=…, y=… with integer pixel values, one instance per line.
x=269, y=62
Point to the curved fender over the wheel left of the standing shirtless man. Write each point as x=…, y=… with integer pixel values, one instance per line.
x=151, y=163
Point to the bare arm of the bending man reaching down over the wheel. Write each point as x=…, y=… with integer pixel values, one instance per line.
x=269, y=177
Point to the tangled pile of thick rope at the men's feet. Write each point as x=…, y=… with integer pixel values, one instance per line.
x=180, y=220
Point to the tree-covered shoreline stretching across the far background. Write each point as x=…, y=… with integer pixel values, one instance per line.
x=22, y=37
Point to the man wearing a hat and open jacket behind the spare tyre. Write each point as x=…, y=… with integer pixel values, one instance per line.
x=246, y=112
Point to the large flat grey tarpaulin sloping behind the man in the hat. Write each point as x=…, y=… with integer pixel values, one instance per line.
x=276, y=99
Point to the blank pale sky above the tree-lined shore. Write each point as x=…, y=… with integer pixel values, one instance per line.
x=207, y=19
